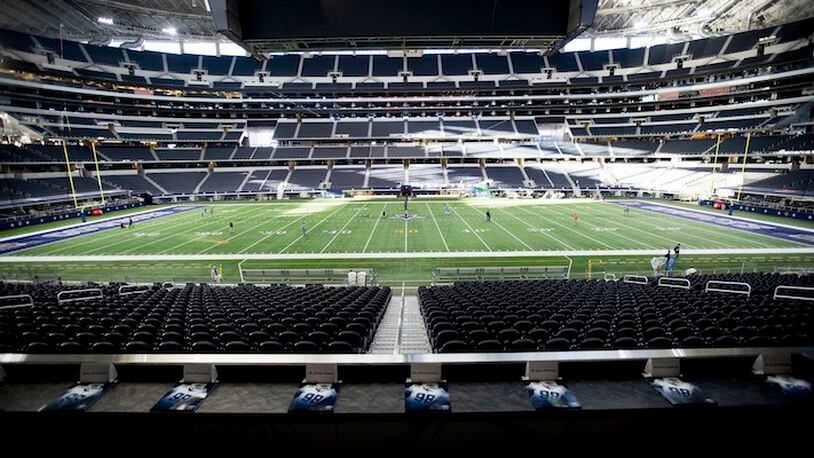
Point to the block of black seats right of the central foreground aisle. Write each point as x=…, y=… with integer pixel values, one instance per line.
x=594, y=314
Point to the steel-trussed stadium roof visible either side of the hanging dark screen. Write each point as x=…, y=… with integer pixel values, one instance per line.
x=102, y=20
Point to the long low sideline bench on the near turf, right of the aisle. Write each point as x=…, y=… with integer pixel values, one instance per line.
x=454, y=274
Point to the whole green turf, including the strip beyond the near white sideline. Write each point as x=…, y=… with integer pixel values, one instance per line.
x=372, y=234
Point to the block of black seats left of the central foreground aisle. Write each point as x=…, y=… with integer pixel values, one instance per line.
x=200, y=319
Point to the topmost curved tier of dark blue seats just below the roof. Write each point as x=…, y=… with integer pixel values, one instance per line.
x=384, y=66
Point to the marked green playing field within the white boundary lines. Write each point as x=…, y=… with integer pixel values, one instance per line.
x=336, y=226
